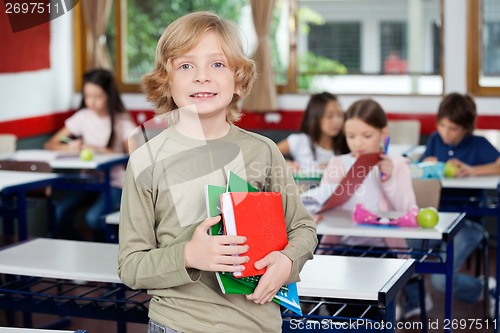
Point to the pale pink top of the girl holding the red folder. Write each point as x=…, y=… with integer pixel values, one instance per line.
x=394, y=194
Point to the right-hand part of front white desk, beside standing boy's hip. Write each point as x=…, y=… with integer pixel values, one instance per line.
x=348, y=284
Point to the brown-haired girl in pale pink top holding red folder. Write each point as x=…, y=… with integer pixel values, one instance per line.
x=387, y=187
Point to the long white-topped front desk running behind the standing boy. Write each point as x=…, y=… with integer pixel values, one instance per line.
x=56, y=260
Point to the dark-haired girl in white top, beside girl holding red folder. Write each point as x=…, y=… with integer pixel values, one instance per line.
x=320, y=136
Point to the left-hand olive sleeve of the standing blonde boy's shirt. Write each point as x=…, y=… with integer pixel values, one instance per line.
x=141, y=263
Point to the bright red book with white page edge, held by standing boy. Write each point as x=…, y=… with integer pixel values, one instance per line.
x=260, y=218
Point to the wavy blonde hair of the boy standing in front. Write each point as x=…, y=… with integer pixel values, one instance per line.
x=181, y=36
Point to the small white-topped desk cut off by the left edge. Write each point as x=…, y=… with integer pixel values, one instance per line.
x=13, y=188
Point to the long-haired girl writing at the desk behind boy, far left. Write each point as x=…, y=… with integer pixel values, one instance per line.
x=102, y=125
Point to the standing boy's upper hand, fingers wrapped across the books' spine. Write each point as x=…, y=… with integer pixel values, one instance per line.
x=215, y=253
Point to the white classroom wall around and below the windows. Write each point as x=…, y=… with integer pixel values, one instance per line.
x=44, y=92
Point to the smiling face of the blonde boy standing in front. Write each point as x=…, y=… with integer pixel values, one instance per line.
x=203, y=77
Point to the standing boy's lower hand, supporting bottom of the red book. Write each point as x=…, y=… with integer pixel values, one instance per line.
x=278, y=267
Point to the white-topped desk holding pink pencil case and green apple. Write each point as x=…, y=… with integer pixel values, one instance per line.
x=340, y=223
